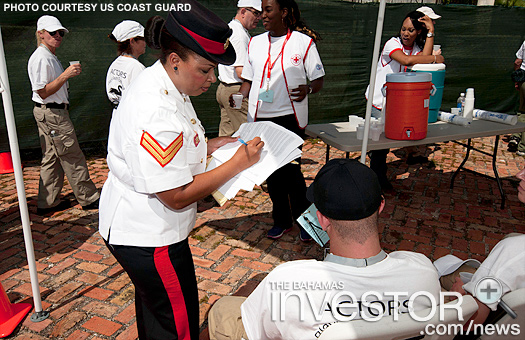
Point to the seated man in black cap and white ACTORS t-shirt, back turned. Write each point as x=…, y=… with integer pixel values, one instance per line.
x=300, y=299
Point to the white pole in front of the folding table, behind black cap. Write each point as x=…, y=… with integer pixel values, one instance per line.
x=373, y=69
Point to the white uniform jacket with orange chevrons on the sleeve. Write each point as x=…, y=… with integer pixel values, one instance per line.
x=156, y=143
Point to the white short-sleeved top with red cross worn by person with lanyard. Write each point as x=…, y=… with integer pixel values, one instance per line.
x=299, y=60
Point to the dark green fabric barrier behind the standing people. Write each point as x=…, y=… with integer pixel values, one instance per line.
x=479, y=45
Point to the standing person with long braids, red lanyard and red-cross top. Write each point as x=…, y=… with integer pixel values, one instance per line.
x=279, y=63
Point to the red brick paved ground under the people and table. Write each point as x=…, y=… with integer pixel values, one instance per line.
x=90, y=297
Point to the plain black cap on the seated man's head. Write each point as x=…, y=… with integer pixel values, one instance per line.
x=345, y=189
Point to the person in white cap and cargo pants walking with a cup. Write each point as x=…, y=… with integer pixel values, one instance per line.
x=58, y=140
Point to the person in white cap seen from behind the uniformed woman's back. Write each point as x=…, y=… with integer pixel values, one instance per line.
x=129, y=36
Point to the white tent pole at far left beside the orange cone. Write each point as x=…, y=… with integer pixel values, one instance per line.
x=38, y=315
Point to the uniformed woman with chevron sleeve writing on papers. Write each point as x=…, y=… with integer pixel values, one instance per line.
x=157, y=157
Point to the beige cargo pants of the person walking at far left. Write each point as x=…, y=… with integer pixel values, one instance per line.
x=61, y=155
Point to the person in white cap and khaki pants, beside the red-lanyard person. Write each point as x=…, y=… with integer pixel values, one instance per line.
x=247, y=18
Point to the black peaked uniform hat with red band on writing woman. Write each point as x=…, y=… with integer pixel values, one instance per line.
x=202, y=31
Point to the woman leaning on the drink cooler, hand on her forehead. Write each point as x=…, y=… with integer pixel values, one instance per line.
x=413, y=45
